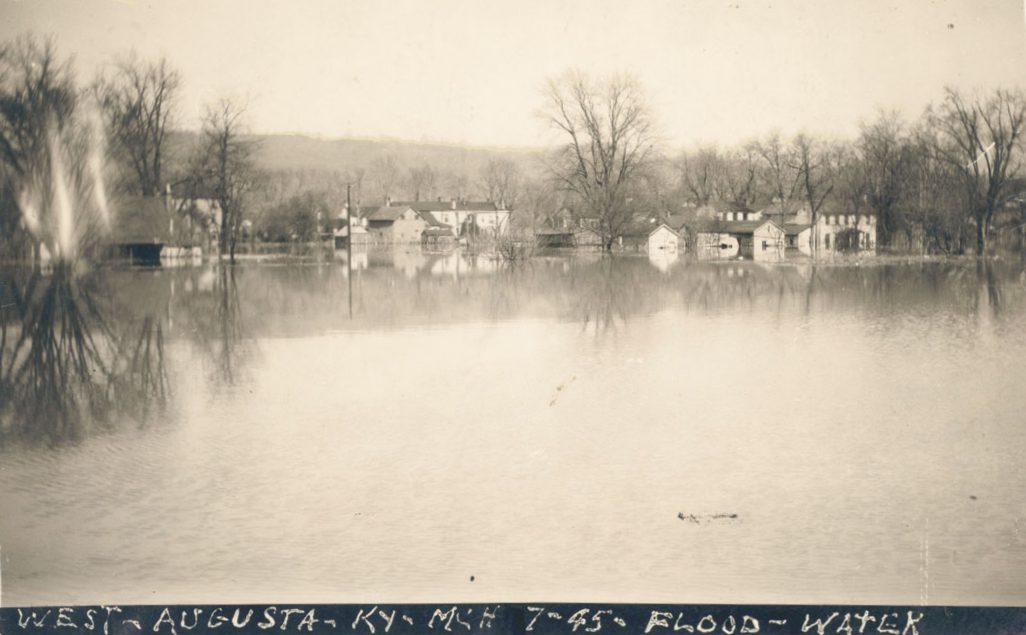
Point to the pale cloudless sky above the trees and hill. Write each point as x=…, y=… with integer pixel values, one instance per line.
x=472, y=72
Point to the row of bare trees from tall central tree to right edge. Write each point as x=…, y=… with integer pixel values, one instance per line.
x=951, y=182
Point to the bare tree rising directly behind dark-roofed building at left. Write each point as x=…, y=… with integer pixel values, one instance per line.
x=139, y=103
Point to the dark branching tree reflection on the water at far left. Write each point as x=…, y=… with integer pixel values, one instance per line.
x=64, y=370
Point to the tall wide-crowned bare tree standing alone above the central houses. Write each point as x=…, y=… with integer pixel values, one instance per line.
x=608, y=135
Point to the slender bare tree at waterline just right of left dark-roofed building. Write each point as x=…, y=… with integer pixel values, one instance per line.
x=227, y=168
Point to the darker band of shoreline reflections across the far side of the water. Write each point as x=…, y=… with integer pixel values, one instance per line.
x=82, y=351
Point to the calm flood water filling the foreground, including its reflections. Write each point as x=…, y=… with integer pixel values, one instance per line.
x=573, y=428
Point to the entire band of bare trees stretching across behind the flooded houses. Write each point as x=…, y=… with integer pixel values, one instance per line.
x=950, y=182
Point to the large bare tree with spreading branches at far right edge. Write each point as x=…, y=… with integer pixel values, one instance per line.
x=982, y=137
